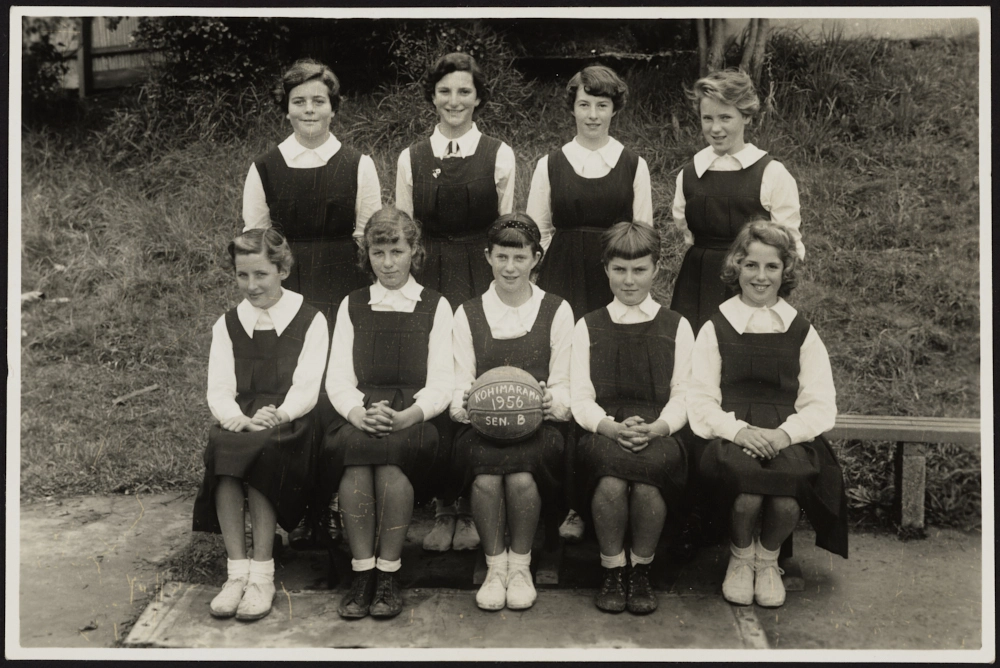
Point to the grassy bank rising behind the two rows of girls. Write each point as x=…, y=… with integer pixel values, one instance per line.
x=128, y=220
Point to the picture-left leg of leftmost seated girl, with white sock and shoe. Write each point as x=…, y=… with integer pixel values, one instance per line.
x=229, y=507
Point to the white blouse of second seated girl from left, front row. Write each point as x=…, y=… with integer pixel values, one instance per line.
x=341, y=379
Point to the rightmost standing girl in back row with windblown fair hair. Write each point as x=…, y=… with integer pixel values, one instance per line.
x=726, y=184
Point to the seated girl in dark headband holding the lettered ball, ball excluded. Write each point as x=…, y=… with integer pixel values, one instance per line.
x=514, y=323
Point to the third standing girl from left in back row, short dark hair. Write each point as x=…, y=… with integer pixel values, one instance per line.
x=582, y=189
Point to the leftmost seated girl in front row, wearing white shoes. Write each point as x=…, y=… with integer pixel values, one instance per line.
x=264, y=374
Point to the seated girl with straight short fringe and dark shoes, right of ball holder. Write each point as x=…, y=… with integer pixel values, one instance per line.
x=629, y=375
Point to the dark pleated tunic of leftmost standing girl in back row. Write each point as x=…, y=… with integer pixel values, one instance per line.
x=315, y=209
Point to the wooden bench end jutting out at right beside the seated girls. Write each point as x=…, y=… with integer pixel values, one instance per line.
x=911, y=435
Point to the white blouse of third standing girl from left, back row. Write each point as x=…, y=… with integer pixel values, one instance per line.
x=590, y=165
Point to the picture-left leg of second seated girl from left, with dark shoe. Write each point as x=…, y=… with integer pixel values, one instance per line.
x=358, y=508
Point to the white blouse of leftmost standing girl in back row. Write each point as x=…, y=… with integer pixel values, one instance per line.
x=369, y=199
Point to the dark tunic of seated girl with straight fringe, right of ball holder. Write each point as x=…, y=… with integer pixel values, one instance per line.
x=631, y=367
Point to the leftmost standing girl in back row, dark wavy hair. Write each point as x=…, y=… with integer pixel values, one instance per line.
x=318, y=191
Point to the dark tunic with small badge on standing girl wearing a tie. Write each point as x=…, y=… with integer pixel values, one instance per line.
x=455, y=200
